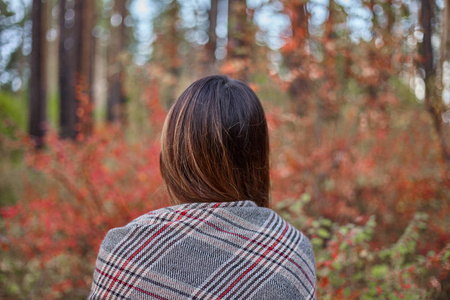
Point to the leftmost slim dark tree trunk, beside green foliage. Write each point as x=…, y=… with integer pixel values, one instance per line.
x=38, y=91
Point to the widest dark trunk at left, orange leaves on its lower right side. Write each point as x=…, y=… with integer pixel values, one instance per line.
x=76, y=55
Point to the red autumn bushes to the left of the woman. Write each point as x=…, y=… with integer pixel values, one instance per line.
x=73, y=193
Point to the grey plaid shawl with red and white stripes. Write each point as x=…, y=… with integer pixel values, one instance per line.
x=225, y=250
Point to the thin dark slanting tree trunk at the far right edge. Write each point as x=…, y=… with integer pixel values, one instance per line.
x=433, y=103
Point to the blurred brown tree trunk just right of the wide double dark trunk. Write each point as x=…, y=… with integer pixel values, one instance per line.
x=116, y=95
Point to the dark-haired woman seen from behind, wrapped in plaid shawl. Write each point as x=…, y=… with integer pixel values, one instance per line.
x=220, y=241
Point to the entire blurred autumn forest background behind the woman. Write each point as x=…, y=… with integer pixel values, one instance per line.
x=357, y=95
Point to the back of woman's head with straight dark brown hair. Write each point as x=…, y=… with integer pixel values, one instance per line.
x=215, y=144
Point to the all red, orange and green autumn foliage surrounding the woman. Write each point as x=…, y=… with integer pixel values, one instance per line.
x=356, y=161
